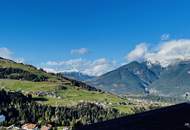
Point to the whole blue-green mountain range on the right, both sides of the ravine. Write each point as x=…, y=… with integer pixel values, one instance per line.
x=141, y=78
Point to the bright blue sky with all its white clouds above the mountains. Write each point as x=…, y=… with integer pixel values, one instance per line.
x=93, y=36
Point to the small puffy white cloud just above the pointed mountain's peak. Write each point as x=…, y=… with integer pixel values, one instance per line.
x=138, y=53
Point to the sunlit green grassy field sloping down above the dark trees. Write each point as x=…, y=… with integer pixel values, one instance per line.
x=70, y=96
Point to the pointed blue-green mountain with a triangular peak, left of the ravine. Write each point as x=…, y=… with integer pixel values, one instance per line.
x=131, y=78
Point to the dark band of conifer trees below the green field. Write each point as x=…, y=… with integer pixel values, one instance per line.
x=17, y=107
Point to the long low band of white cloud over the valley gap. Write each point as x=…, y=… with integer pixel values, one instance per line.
x=96, y=67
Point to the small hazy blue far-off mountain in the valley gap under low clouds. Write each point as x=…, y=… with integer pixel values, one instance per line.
x=78, y=76
